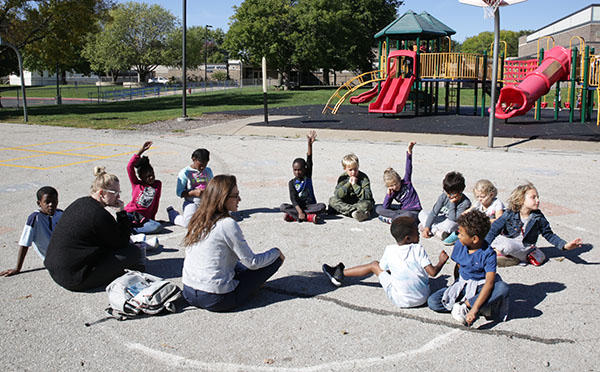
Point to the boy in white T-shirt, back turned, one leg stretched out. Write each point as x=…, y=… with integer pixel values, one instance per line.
x=404, y=269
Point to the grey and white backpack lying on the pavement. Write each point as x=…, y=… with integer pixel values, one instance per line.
x=135, y=293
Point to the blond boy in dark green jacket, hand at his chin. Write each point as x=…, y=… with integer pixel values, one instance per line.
x=352, y=196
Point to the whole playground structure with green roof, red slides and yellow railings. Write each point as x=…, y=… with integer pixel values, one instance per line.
x=523, y=85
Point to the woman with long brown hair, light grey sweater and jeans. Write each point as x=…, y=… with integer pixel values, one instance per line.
x=220, y=271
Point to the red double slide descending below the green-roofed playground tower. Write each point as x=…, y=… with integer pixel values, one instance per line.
x=395, y=90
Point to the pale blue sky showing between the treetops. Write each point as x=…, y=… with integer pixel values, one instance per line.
x=466, y=20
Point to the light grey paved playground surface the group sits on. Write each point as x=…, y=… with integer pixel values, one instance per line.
x=298, y=321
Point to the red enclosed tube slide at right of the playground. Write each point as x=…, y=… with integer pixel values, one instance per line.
x=517, y=100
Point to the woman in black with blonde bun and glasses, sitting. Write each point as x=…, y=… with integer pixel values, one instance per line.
x=90, y=248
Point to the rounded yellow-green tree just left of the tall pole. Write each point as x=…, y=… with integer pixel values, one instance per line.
x=136, y=36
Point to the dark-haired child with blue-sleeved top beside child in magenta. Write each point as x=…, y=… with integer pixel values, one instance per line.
x=191, y=183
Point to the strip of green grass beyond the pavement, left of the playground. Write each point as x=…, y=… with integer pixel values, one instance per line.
x=125, y=114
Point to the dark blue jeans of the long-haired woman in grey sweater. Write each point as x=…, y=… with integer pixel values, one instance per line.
x=250, y=282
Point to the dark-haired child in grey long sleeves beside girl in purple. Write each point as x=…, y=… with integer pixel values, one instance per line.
x=442, y=220
